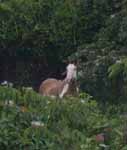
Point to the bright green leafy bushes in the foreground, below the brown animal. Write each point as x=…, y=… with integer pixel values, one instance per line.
x=30, y=121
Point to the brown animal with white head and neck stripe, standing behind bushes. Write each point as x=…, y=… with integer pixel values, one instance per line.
x=53, y=87
